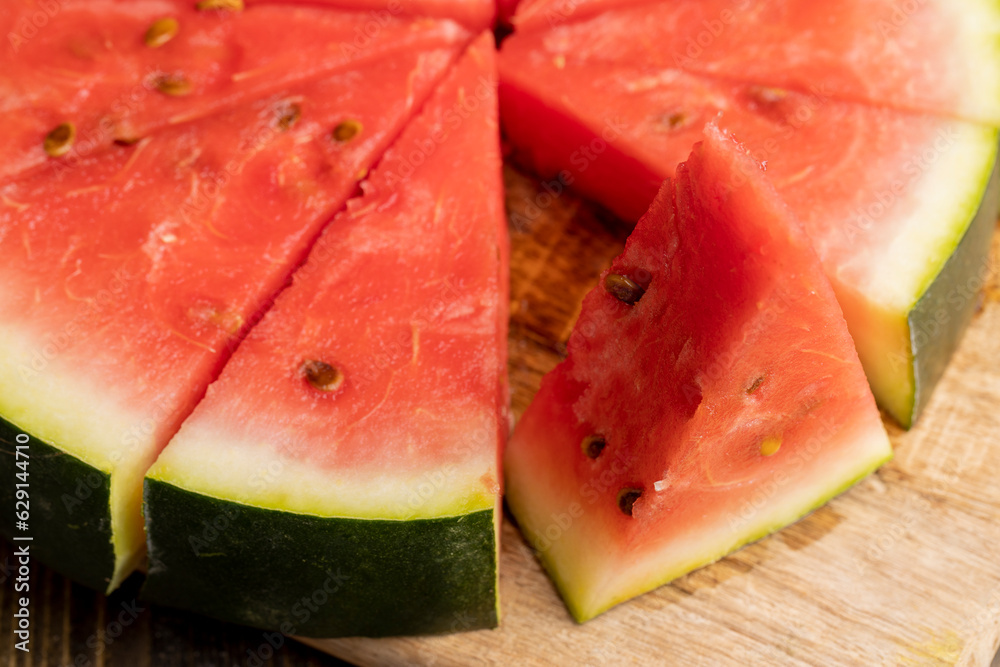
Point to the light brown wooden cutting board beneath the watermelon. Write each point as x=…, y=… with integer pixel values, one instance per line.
x=904, y=569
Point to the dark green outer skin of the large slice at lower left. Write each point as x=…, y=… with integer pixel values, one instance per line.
x=69, y=508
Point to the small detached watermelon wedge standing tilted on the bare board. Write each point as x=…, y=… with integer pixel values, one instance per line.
x=711, y=394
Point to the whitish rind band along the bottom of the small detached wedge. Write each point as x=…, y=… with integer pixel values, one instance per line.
x=594, y=573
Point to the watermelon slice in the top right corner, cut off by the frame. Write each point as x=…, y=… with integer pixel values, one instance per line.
x=940, y=56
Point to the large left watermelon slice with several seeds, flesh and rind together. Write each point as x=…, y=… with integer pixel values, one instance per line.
x=128, y=279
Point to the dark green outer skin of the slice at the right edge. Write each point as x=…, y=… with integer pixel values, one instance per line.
x=943, y=313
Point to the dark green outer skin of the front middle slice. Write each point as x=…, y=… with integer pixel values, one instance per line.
x=319, y=576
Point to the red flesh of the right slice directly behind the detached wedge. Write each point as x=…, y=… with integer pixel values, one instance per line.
x=829, y=160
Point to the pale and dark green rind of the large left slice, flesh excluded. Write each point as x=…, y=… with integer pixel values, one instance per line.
x=89, y=425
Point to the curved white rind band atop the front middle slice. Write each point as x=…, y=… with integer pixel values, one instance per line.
x=205, y=458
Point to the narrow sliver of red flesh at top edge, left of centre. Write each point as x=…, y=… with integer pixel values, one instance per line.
x=473, y=14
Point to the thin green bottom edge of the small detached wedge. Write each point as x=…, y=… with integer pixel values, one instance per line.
x=773, y=523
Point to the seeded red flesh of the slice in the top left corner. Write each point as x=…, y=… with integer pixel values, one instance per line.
x=90, y=65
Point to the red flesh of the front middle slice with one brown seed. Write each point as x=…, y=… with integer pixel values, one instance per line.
x=404, y=293
